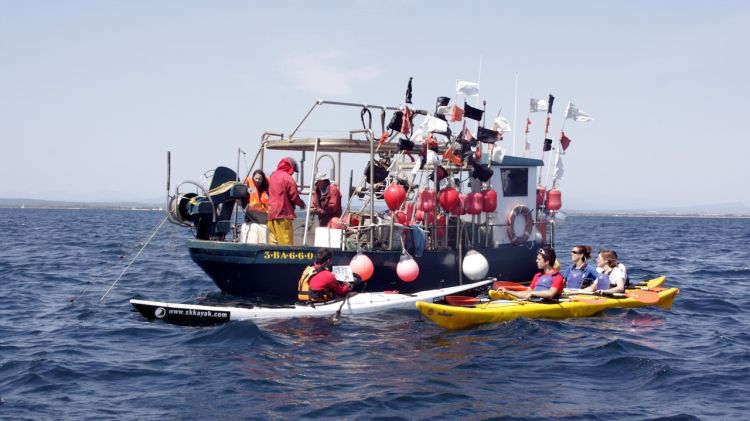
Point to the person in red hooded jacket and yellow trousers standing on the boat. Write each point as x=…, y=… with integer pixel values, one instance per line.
x=283, y=196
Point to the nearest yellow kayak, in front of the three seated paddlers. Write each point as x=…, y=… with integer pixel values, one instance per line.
x=451, y=317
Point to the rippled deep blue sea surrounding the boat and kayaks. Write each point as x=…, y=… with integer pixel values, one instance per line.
x=67, y=354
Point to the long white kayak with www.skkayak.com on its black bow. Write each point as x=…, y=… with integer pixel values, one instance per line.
x=368, y=302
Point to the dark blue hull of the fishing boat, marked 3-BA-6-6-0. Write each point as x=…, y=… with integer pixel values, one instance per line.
x=252, y=270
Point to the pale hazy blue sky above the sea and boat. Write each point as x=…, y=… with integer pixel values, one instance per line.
x=94, y=93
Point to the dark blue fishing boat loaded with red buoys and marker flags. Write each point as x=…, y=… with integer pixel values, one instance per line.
x=464, y=209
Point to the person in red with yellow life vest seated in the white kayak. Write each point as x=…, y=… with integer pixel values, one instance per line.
x=318, y=284
